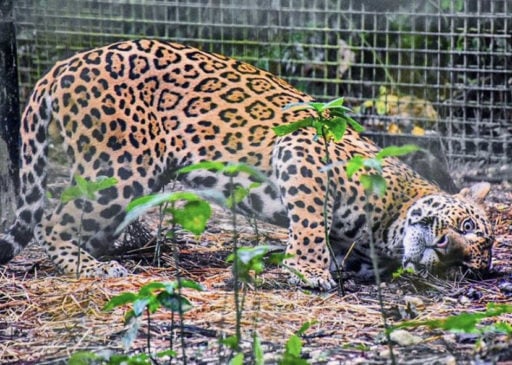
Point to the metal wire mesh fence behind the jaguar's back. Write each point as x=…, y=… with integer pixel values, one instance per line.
x=436, y=69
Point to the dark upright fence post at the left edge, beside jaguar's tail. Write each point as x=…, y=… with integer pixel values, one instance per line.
x=9, y=116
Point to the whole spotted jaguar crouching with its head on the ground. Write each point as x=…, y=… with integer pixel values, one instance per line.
x=140, y=110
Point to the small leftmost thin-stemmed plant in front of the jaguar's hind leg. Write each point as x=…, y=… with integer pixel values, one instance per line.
x=84, y=190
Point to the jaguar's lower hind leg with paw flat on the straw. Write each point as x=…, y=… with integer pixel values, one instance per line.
x=79, y=230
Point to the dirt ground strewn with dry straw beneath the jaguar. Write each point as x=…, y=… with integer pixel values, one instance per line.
x=46, y=317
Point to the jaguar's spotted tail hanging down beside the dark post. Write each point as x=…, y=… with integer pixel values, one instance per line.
x=33, y=173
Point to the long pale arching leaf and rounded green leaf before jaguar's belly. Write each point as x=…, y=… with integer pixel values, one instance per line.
x=192, y=216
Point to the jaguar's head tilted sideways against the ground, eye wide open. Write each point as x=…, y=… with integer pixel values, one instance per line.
x=444, y=230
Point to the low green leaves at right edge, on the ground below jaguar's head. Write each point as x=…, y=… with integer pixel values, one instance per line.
x=465, y=322
